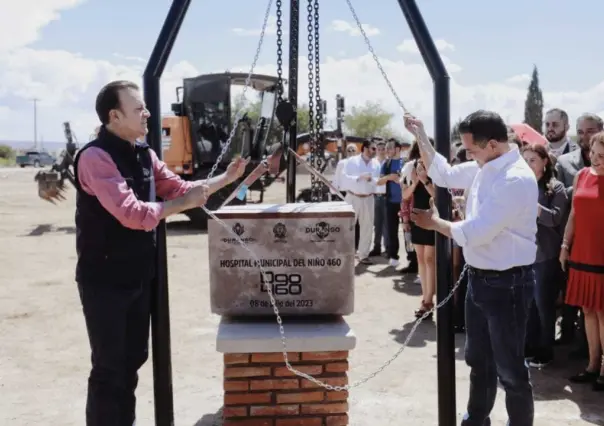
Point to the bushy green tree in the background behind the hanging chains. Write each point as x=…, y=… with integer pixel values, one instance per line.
x=369, y=120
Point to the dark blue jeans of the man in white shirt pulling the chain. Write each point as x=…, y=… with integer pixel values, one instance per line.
x=497, y=310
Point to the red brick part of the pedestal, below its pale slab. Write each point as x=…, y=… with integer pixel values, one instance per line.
x=260, y=390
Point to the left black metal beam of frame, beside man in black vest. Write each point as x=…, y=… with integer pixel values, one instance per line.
x=160, y=306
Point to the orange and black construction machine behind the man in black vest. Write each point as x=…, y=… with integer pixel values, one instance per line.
x=193, y=138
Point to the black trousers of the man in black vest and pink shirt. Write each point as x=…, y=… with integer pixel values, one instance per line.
x=117, y=319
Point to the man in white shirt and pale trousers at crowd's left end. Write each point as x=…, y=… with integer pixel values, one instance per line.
x=359, y=179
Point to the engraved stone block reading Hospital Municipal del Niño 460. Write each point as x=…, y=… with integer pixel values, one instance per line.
x=307, y=252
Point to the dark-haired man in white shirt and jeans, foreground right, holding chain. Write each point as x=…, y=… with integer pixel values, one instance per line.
x=498, y=240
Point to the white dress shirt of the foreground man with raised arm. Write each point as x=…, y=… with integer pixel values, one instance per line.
x=500, y=227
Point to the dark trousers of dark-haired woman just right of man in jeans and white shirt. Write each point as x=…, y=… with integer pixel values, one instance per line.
x=542, y=323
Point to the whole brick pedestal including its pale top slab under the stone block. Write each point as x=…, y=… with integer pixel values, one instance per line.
x=259, y=390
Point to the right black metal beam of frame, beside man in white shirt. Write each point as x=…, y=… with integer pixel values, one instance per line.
x=447, y=413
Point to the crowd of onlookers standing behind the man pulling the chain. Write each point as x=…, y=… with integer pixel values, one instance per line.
x=389, y=178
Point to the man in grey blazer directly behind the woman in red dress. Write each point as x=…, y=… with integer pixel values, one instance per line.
x=567, y=166
